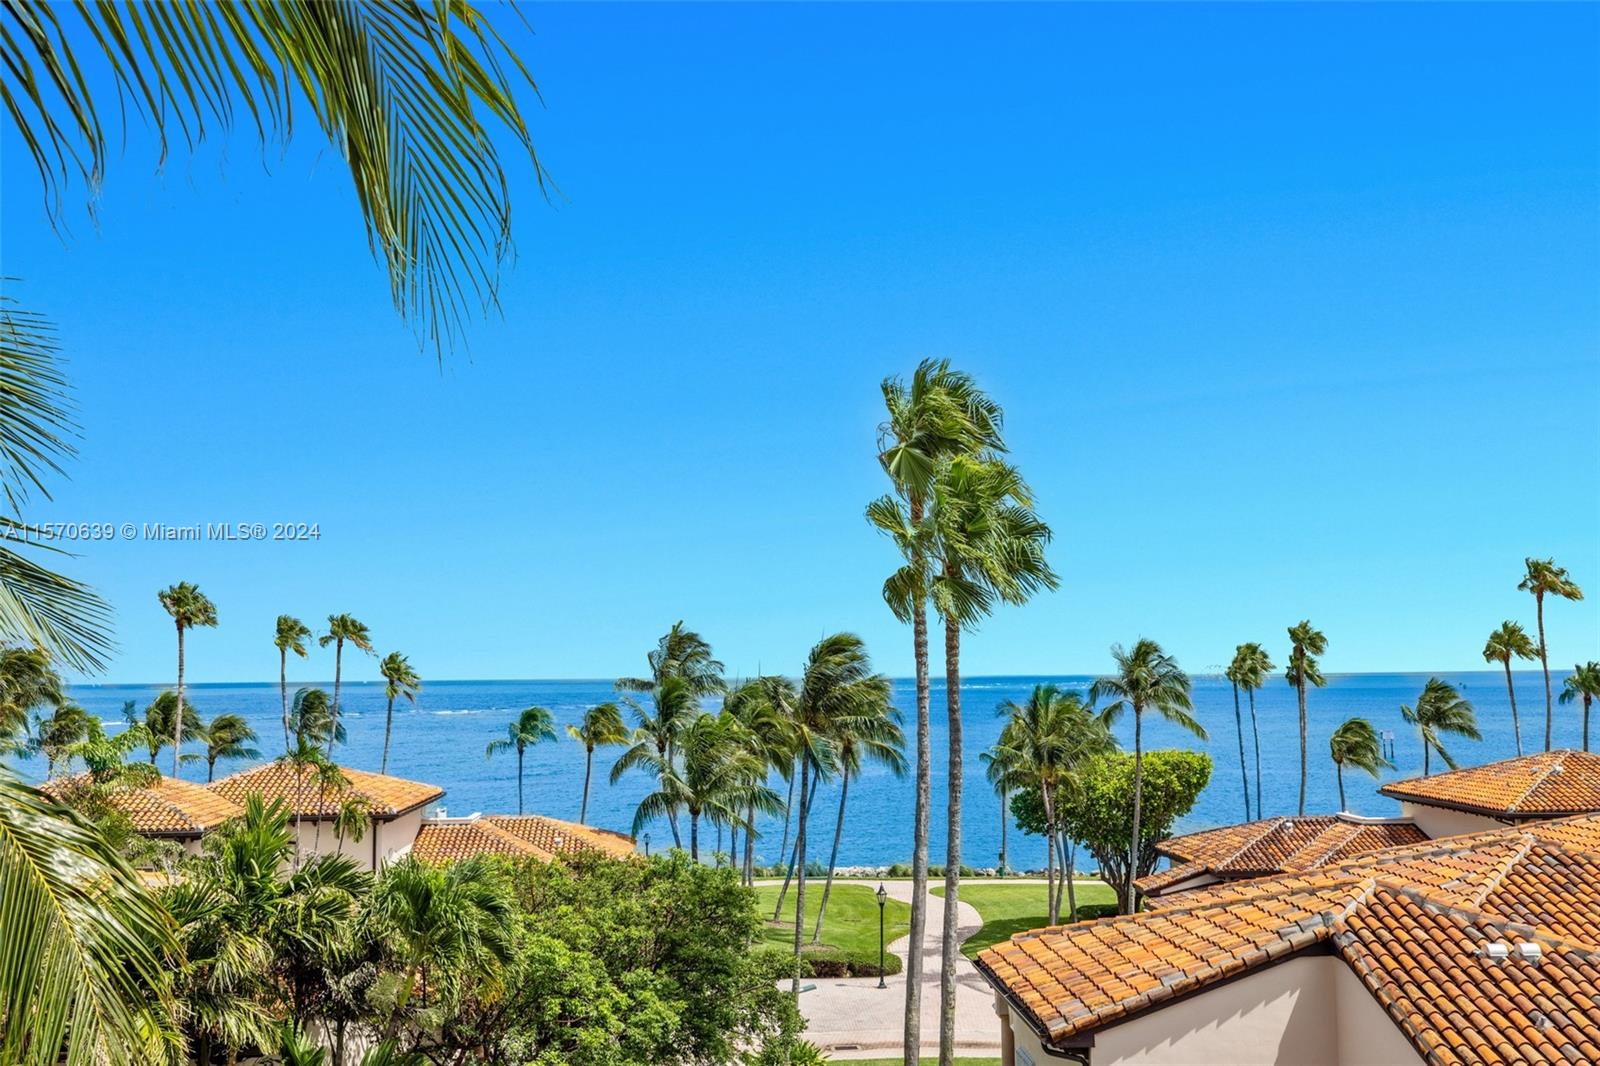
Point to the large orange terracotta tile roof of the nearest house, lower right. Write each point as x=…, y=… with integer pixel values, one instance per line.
x=1412, y=923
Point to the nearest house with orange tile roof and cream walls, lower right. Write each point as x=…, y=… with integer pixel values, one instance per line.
x=1482, y=948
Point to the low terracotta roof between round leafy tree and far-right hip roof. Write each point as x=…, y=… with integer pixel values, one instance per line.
x=1276, y=846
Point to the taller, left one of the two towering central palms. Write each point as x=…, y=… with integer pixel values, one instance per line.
x=940, y=414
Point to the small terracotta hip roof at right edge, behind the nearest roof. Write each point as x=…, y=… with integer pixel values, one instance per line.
x=1546, y=785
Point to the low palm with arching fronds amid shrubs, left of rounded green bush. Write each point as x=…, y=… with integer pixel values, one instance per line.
x=454, y=916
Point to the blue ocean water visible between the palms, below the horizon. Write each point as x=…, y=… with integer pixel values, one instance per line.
x=444, y=737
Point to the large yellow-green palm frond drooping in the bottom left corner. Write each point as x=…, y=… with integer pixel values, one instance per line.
x=84, y=944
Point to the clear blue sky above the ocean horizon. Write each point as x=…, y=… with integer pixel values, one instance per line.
x=1295, y=311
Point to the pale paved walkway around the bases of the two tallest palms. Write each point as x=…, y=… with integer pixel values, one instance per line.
x=855, y=1019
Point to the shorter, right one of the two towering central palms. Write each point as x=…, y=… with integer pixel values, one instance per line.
x=991, y=548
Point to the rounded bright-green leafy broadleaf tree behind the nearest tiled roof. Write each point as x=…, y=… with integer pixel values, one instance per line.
x=1103, y=819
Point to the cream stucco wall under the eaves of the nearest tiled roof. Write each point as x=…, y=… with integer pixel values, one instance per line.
x=1303, y=1012
